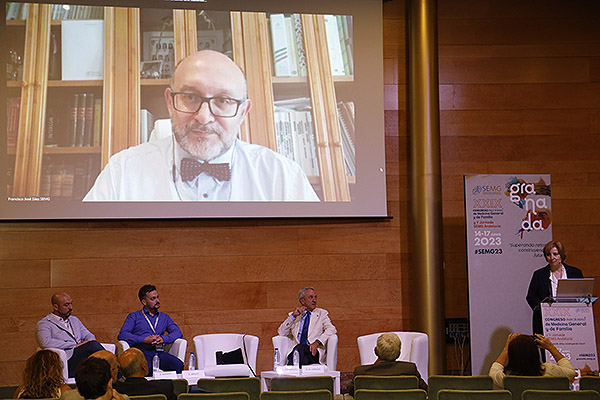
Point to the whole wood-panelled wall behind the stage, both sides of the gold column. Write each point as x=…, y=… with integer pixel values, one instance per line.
x=519, y=94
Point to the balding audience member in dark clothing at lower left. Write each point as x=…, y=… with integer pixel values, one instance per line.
x=134, y=368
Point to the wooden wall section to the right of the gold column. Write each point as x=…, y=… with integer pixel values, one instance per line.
x=519, y=94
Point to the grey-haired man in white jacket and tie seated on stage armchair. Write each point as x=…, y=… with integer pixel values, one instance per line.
x=309, y=327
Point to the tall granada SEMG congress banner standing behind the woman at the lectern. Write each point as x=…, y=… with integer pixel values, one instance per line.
x=508, y=222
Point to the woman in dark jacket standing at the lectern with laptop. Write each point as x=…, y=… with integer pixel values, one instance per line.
x=545, y=280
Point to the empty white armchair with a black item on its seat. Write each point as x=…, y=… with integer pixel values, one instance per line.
x=207, y=346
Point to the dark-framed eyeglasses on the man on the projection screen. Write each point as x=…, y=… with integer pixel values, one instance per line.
x=190, y=103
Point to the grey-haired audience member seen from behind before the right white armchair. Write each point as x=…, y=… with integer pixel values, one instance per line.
x=387, y=351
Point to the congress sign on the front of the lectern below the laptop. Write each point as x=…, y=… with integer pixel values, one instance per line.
x=570, y=326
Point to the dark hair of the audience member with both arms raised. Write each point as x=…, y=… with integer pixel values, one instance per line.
x=523, y=357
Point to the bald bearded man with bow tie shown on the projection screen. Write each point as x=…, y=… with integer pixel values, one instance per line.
x=203, y=160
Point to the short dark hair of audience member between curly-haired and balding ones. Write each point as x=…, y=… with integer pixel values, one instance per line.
x=92, y=377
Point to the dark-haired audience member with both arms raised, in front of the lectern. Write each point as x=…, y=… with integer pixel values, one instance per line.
x=521, y=357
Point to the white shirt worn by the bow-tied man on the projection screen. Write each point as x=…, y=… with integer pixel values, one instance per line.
x=145, y=173
